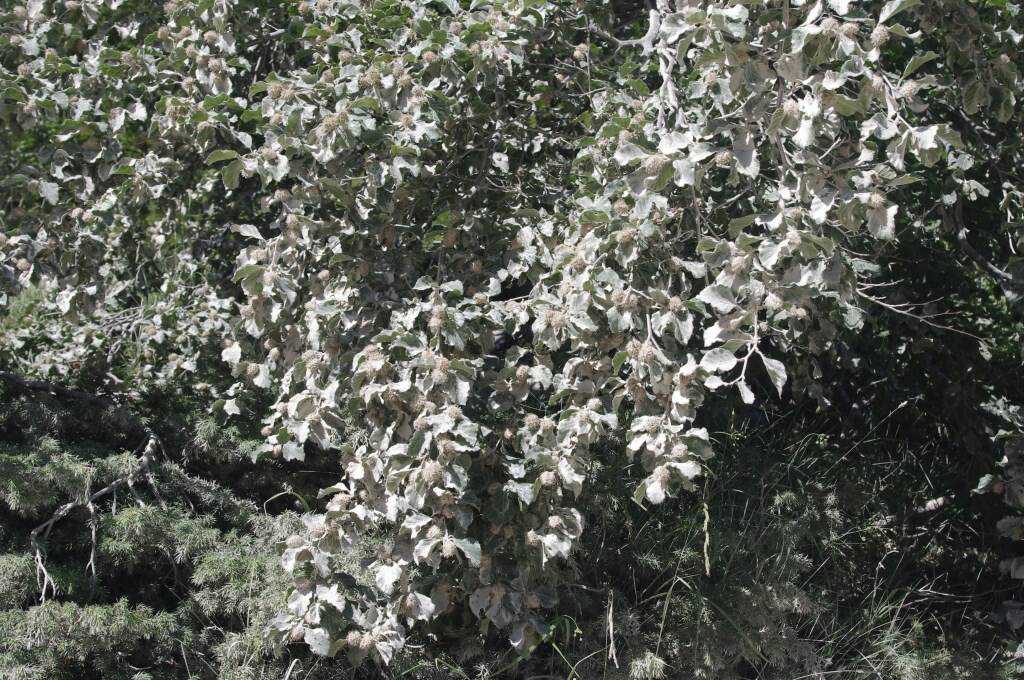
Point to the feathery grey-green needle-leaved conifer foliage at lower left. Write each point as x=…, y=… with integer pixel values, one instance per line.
x=180, y=591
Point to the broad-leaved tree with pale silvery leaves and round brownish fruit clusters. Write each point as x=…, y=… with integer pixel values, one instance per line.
x=480, y=252
